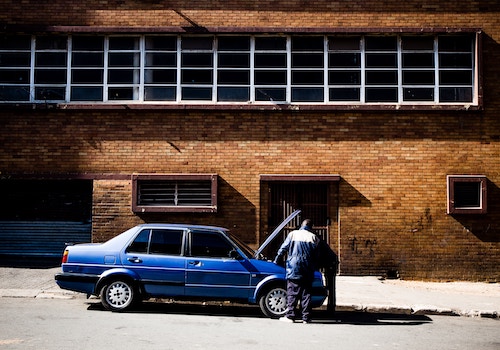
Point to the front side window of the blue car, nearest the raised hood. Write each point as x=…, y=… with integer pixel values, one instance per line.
x=209, y=244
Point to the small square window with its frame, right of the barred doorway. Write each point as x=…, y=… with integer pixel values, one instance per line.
x=467, y=194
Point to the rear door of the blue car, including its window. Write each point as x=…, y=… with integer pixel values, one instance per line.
x=155, y=256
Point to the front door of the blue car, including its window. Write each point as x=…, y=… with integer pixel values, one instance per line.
x=213, y=270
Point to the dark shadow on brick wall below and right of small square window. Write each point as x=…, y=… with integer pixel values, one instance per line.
x=485, y=227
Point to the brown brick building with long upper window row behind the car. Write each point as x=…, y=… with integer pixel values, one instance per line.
x=378, y=119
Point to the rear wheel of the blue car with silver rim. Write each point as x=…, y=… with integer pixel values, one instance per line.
x=118, y=295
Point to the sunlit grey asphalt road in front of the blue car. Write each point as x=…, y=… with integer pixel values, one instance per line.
x=83, y=324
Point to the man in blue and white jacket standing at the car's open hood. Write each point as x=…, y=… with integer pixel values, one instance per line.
x=302, y=247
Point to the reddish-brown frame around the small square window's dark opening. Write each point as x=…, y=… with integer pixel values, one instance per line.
x=481, y=180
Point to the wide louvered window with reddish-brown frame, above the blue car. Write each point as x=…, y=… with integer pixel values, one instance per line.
x=174, y=193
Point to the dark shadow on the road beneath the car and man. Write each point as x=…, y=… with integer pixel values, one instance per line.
x=236, y=310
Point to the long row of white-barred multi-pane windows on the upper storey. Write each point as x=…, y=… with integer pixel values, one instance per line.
x=279, y=69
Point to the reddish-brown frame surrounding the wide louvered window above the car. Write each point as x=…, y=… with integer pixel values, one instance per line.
x=141, y=208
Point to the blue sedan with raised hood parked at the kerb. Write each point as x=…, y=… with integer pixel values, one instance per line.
x=184, y=262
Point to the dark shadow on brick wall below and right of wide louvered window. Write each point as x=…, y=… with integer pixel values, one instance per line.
x=234, y=212
